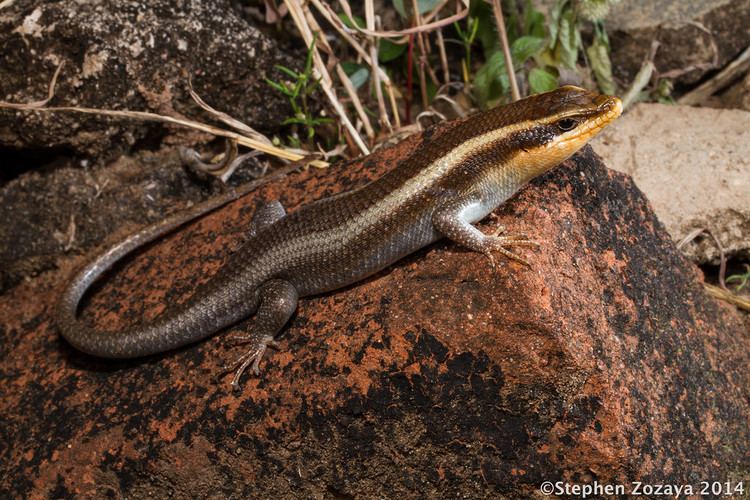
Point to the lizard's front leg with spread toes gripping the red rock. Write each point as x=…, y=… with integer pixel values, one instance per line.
x=453, y=219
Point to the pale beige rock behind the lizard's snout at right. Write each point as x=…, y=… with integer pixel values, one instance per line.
x=693, y=164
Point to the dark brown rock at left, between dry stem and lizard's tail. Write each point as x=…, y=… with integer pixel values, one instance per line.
x=71, y=209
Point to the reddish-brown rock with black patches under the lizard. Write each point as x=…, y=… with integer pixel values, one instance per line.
x=437, y=378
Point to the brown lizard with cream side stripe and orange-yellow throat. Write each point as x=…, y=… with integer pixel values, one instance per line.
x=440, y=190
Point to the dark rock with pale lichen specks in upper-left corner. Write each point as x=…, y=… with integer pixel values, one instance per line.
x=130, y=54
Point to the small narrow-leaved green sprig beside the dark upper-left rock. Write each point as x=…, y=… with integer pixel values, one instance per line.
x=297, y=91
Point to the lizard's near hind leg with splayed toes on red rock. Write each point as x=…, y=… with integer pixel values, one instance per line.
x=278, y=301
